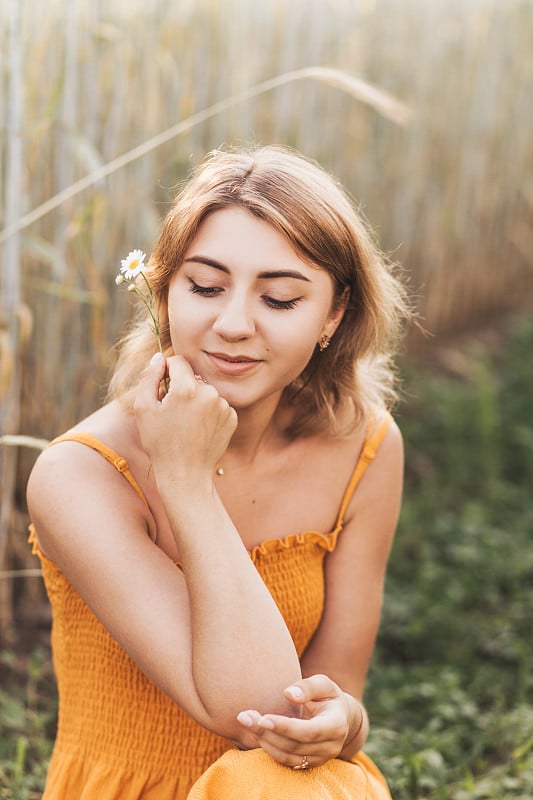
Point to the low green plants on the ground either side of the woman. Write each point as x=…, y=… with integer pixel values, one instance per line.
x=450, y=691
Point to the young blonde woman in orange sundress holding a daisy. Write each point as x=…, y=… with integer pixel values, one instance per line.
x=214, y=539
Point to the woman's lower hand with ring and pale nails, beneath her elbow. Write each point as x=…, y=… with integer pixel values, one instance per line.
x=318, y=735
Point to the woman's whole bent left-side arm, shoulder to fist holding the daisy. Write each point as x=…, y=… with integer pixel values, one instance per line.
x=210, y=637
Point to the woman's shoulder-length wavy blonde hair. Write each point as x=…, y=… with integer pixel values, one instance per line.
x=306, y=205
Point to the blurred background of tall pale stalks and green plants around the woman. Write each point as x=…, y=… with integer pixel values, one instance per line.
x=422, y=108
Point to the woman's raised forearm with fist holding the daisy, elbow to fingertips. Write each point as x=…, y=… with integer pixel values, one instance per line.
x=242, y=654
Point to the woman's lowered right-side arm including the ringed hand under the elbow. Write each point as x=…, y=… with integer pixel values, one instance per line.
x=336, y=661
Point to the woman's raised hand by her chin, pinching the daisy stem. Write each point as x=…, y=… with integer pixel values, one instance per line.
x=186, y=431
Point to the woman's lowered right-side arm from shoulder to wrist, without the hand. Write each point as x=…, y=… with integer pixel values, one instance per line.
x=355, y=573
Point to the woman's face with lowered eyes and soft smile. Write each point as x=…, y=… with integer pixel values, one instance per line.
x=245, y=310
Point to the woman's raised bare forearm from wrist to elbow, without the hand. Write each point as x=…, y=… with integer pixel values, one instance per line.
x=242, y=652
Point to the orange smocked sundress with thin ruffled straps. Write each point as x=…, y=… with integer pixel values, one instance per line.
x=121, y=738
